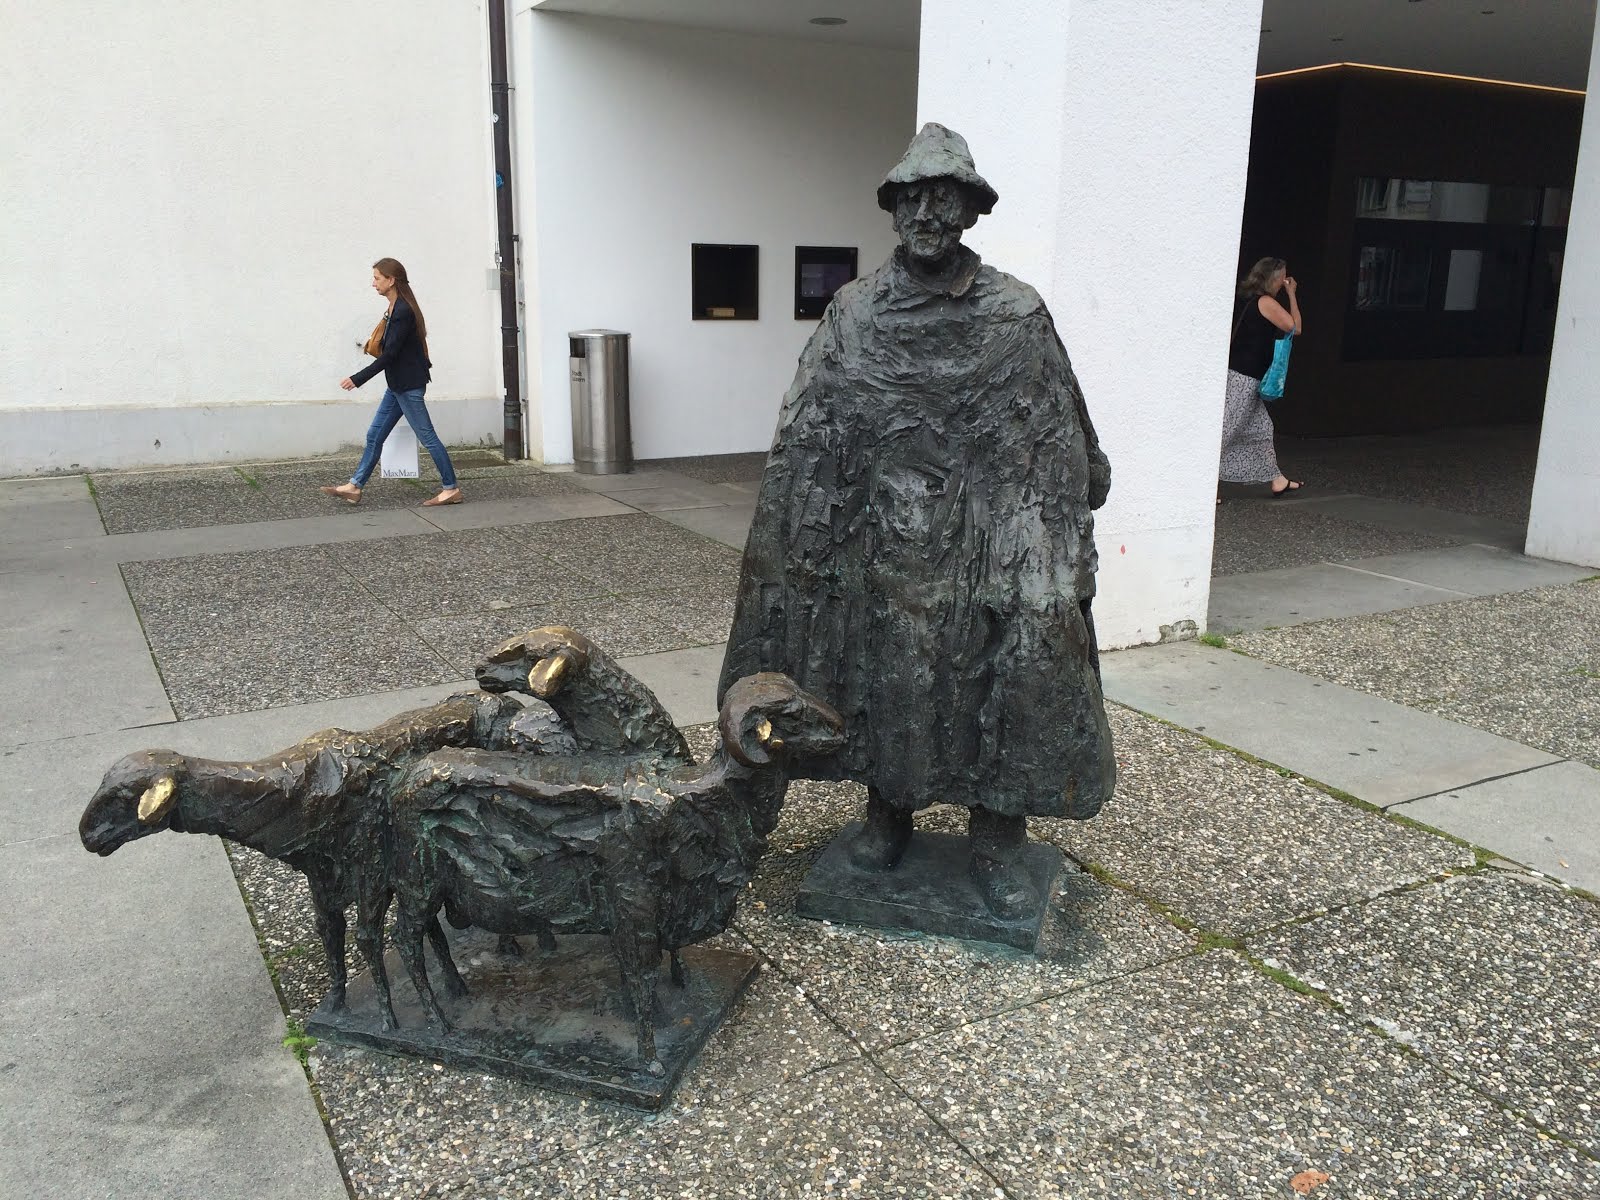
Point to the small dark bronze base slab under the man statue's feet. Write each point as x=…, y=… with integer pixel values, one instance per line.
x=929, y=892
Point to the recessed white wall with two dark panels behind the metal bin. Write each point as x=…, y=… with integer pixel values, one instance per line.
x=650, y=138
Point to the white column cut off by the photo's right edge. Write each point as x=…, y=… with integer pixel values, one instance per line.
x=1566, y=518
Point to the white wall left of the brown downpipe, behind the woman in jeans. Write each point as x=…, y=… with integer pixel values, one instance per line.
x=194, y=194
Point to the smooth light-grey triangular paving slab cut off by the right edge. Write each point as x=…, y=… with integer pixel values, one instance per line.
x=1546, y=818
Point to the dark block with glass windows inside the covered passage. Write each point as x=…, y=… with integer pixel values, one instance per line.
x=1426, y=222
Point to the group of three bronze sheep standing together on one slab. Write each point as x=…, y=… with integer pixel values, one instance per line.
x=583, y=814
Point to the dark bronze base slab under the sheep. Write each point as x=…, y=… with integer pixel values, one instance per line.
x=561, y=1020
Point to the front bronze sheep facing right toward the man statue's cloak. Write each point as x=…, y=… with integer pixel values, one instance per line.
x=650, y=852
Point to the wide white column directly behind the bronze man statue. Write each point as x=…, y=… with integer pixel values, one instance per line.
x=1118, y=134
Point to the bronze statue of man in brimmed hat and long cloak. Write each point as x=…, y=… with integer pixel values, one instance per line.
x=922, y=553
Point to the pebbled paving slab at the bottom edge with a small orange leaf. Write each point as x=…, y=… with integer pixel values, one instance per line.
x=1202, y=1078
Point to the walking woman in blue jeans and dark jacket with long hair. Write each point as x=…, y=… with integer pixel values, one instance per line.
x=402, y=358
